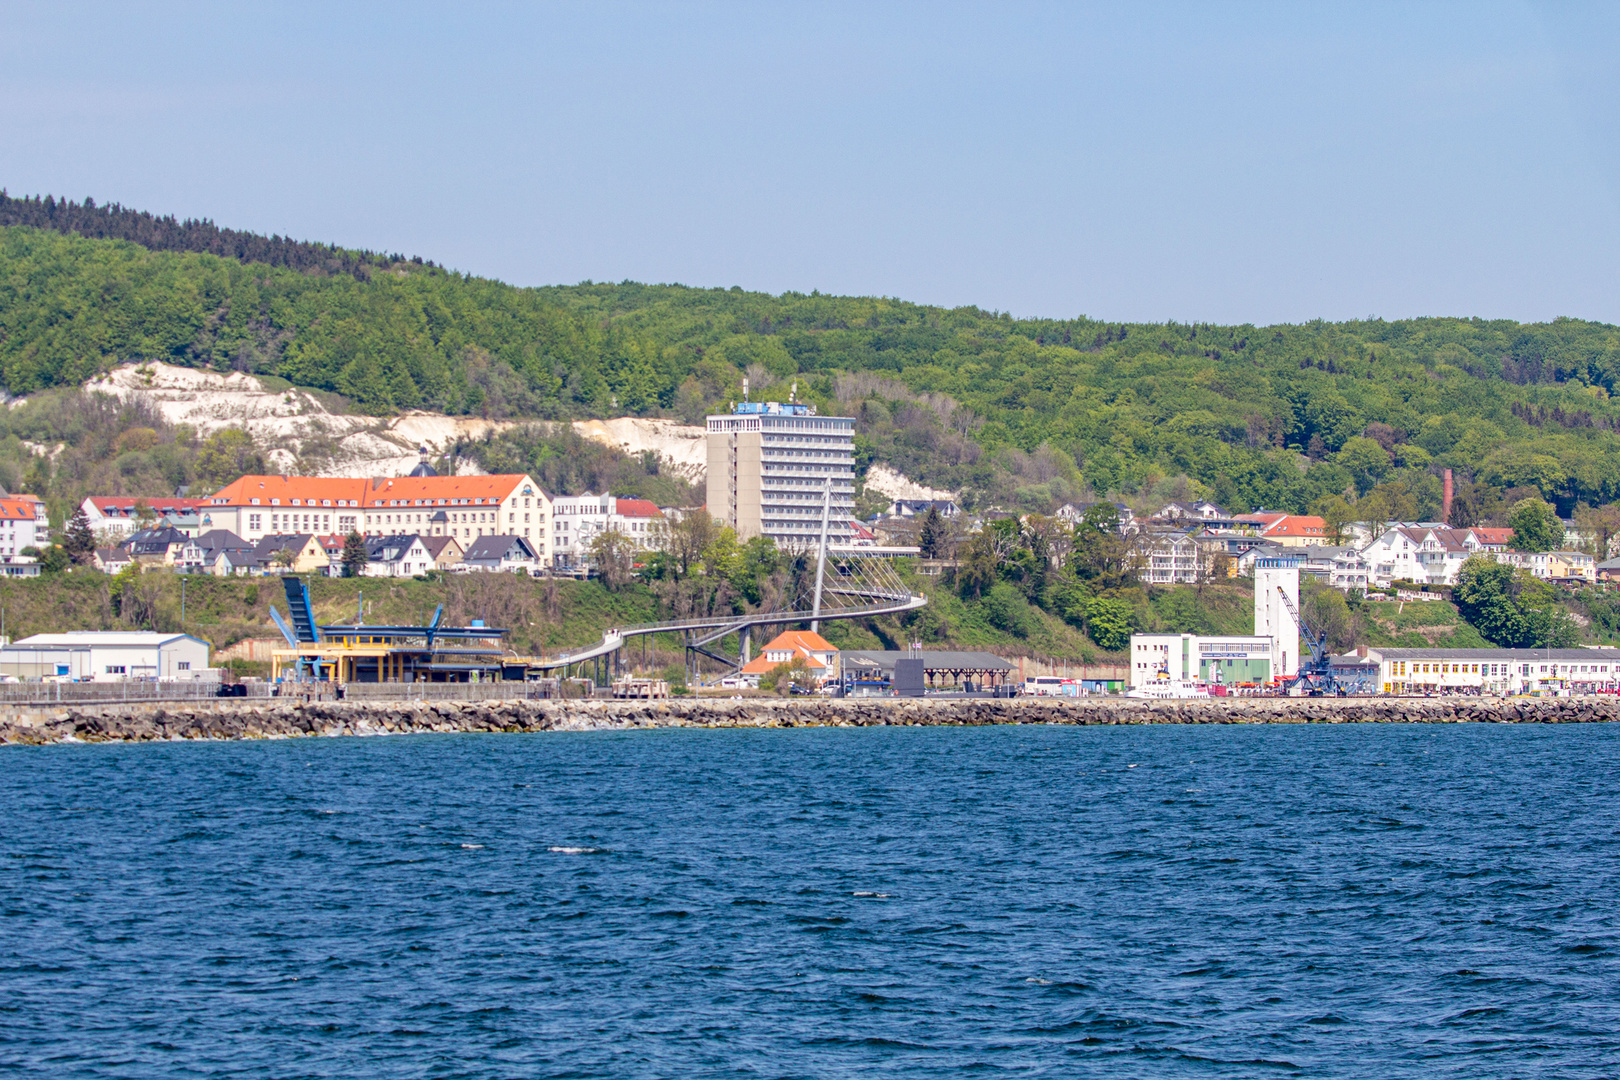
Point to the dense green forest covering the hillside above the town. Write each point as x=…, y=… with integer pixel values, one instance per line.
x=1018, y=412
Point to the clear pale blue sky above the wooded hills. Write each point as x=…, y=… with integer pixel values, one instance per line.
x=1196, y=163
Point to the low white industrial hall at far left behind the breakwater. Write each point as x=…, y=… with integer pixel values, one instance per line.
x=108, y=657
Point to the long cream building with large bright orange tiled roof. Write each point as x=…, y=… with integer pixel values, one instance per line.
x=464, y=508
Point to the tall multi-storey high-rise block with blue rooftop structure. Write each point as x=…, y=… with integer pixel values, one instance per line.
x=767, y=469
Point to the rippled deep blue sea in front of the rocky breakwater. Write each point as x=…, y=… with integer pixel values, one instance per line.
x=1360, y=901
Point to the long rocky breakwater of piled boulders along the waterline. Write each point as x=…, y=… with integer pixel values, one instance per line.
x=276, y=720
